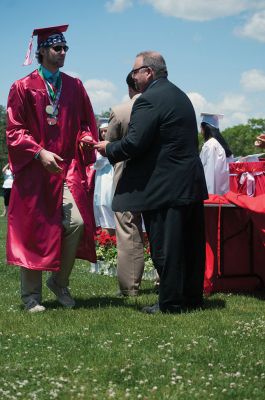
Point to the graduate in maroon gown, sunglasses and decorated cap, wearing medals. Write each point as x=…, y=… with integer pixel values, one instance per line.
x=51, y=221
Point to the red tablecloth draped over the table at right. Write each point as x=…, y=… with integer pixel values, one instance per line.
x=235, y=242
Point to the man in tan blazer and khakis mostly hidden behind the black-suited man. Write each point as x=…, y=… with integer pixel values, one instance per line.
x=129, y=234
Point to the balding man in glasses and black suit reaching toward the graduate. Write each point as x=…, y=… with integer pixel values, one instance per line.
x=163, y=178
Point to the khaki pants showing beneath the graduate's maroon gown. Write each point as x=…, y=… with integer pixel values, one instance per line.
x=31, y=280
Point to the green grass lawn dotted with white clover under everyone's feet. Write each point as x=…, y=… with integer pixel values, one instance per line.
x=106, y=348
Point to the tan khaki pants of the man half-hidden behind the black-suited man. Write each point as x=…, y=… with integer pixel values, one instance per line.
x=130, y=248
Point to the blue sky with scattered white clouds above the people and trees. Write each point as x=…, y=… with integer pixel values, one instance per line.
x=214, y=49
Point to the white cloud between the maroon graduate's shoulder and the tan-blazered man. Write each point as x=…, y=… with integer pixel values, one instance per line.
x=101, y=94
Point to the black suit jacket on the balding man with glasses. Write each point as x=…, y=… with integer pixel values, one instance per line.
x=163, y=168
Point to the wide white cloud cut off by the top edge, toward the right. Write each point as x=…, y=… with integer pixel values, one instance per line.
x=203, y=10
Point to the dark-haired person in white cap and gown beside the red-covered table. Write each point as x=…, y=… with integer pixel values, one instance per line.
x=215, y=155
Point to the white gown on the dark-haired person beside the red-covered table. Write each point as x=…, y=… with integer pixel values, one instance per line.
x=215, y=166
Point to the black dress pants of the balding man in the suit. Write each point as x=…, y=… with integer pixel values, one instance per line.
x=177, y=245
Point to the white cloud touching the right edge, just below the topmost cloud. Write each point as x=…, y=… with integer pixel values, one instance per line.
x=254, y=27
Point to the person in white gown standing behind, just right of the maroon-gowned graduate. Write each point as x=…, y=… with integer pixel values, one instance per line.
x=103, y=194
